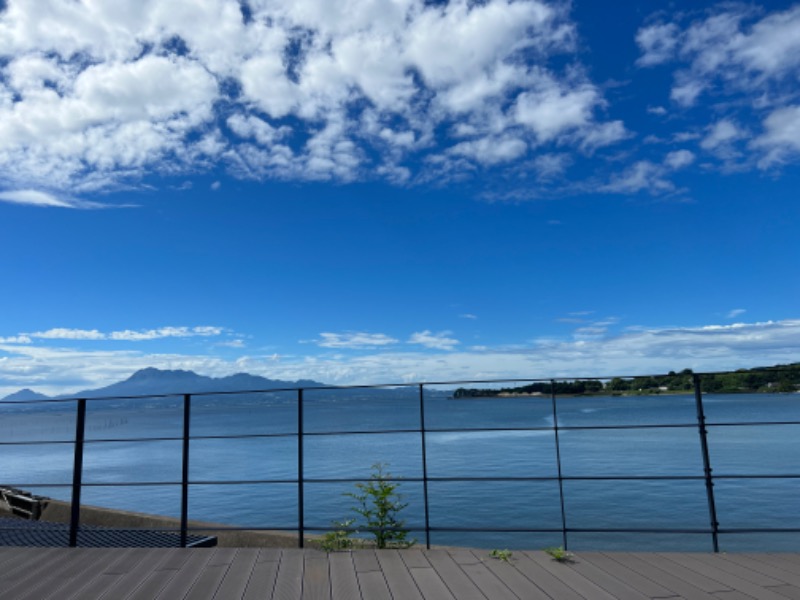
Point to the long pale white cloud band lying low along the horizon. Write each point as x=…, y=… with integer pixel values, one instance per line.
x=639, y=351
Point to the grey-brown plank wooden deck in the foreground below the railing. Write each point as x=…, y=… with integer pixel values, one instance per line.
x=250, y=573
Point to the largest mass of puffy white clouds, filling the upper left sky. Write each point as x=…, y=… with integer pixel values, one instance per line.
x=95, y=96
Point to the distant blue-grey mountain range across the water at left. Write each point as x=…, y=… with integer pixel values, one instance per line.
x=153, y=381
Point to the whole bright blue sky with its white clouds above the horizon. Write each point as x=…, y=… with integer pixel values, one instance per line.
x=387, y=191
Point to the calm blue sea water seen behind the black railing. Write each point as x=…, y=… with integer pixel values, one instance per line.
x=220, y=466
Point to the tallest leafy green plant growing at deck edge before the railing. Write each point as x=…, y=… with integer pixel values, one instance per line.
x=379, y=504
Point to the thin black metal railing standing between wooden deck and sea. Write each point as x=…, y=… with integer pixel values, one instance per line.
x=301, y=481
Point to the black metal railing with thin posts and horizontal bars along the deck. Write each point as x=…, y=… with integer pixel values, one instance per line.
x=302, y=526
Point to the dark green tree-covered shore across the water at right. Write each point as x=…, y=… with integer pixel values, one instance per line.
x=780, y=378
